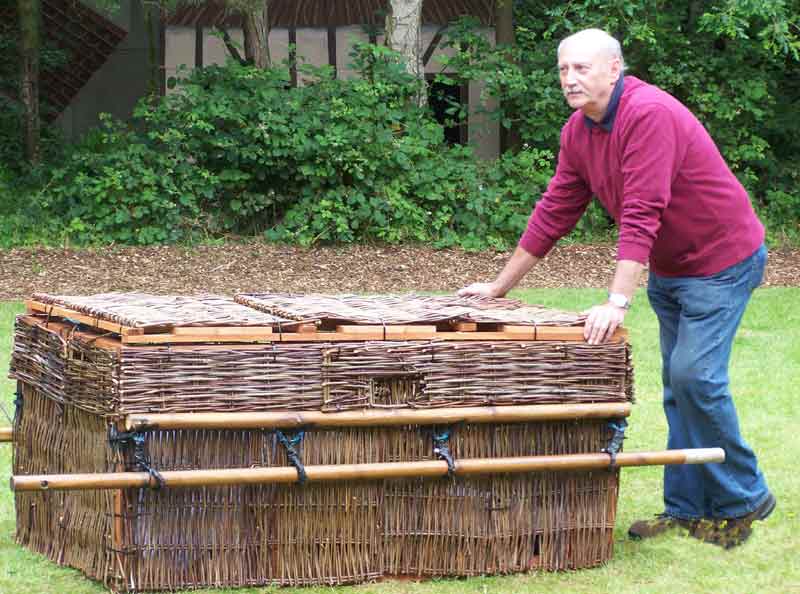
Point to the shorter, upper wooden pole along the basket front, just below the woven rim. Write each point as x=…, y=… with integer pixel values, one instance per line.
x=379, y=417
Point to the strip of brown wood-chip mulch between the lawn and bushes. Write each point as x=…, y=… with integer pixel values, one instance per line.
x=258, y=267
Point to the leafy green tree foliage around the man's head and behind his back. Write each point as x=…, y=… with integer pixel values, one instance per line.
x=732, y=62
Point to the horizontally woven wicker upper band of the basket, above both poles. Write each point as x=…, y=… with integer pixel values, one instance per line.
x=318, y=376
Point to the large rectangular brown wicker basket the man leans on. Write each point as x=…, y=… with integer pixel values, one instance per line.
x=78, y=384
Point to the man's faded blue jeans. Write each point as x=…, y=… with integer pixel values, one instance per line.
x=698, y=318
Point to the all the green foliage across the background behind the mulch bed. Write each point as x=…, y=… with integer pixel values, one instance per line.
x=236, y=150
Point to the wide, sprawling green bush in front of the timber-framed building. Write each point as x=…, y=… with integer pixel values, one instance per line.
x=236, y=151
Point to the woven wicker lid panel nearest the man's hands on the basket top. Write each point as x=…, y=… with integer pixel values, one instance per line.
x=406, y=309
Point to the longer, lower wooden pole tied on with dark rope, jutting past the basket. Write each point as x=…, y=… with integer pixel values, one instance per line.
x=355, y=472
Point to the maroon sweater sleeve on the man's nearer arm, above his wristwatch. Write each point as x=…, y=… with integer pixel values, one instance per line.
x=652, y=153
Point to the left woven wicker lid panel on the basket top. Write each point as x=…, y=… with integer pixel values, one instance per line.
x=138, y=310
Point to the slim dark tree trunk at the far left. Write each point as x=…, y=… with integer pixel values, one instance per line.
x=29, y=21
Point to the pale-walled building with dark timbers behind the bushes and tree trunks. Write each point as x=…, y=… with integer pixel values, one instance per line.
x=153, y=46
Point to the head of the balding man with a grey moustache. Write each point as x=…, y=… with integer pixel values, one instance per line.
x=589, y=63
